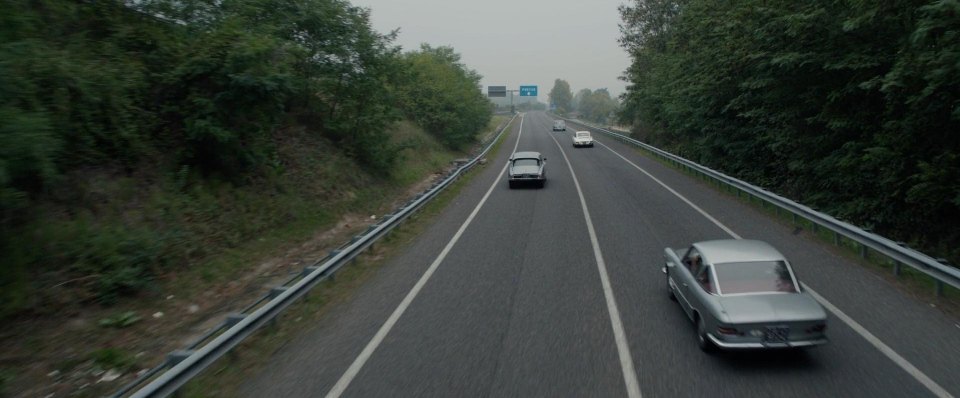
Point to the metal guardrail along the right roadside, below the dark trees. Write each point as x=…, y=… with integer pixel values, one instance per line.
x=896, y=251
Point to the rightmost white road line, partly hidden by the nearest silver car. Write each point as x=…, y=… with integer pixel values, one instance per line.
x=912, y=370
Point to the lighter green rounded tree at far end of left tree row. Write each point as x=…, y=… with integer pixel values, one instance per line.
x=442, y=95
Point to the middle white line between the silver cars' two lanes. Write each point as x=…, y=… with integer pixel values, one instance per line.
x=619, y=335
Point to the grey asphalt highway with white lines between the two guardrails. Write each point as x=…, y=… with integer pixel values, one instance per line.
x=557, y=292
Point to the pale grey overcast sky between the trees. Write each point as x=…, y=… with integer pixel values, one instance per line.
x=516, y=42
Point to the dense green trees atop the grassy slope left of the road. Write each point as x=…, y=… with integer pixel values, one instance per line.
x=202, y=88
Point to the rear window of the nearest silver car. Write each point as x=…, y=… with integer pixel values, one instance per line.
x=754, y=277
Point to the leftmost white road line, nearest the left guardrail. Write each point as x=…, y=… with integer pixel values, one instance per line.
x=361, y=359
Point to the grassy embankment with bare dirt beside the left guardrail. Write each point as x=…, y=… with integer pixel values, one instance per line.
x=220, y=245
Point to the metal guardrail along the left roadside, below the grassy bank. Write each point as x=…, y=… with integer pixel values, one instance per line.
x=183, y=365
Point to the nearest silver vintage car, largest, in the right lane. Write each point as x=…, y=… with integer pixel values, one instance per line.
x=743, y=294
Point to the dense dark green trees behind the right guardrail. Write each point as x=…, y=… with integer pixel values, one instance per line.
x=850, y=107
